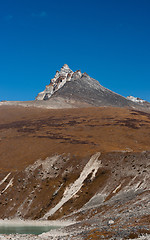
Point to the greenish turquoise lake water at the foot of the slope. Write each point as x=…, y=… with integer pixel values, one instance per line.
x=5, y=229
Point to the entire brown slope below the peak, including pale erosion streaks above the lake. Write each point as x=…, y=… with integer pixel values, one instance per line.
x=44, y=152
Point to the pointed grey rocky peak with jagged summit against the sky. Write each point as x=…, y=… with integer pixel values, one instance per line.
x=76, y=87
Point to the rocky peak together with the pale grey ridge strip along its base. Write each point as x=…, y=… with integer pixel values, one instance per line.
x=70, y=89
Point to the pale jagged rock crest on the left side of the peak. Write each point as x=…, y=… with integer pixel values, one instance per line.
x=60, y=78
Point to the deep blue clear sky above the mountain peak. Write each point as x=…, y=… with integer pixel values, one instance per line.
x=108, y=39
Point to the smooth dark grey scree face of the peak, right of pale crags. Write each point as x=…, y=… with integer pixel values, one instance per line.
x=87, y=89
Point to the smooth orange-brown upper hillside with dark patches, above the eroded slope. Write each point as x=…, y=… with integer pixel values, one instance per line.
x=28, y=134
